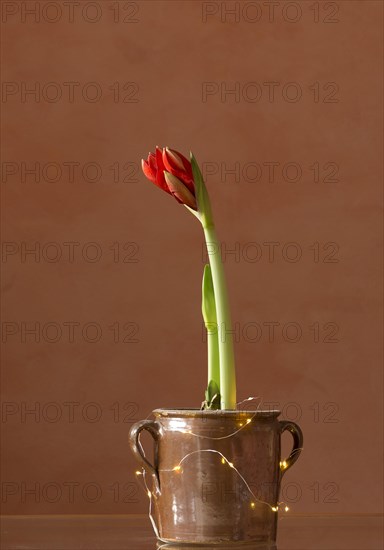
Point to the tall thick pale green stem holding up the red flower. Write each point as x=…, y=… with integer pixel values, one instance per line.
x=224, y=326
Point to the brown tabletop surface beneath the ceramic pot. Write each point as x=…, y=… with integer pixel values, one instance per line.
x=135, y=533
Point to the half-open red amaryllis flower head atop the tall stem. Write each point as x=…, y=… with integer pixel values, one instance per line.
x=172, y=172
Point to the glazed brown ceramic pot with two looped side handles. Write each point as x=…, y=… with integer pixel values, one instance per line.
x=215, y=474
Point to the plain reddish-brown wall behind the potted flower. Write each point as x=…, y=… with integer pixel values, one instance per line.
x=117, y=312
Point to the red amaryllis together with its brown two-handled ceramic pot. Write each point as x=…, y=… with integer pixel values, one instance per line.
x=216, y=471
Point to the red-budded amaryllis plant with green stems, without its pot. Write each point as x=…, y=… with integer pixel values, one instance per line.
x=177, y=176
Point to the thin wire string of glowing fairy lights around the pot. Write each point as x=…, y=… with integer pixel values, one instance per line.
x=178, y=469
